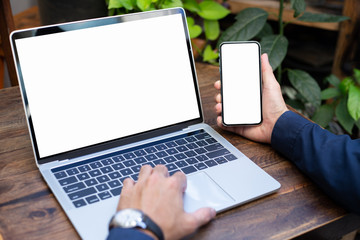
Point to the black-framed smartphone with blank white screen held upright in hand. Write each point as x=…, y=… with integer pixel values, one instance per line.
x=240, y=75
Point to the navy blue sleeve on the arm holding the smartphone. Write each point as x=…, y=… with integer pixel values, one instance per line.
x=331, y=161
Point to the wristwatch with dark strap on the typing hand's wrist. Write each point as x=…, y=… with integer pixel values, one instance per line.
x=134, y=218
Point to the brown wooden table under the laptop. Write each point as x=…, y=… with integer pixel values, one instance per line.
x=28, y=209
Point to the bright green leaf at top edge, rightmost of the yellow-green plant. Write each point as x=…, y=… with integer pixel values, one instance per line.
x=212, y=10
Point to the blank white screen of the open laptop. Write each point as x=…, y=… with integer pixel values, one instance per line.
x=96, y=84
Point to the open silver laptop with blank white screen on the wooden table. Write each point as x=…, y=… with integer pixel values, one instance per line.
x=105, y=96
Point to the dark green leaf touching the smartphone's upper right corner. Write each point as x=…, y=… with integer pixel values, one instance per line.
x=276, y=48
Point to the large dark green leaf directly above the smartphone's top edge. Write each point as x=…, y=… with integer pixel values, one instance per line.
x=249, y=23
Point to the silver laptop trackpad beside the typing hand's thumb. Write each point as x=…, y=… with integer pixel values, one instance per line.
x=202, y=191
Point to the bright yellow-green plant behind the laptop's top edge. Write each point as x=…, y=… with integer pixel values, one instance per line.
x=209, y=12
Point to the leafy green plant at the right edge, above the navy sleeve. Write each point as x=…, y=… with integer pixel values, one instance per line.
x=343, y=104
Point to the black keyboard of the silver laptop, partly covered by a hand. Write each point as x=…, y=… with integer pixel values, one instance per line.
x=100, y=178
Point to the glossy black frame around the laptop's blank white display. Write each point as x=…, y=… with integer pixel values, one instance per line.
x=73, y=26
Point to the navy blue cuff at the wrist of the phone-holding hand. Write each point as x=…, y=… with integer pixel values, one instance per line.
x=286, y=131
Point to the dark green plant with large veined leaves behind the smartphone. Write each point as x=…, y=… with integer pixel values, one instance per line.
x=251, y=23
